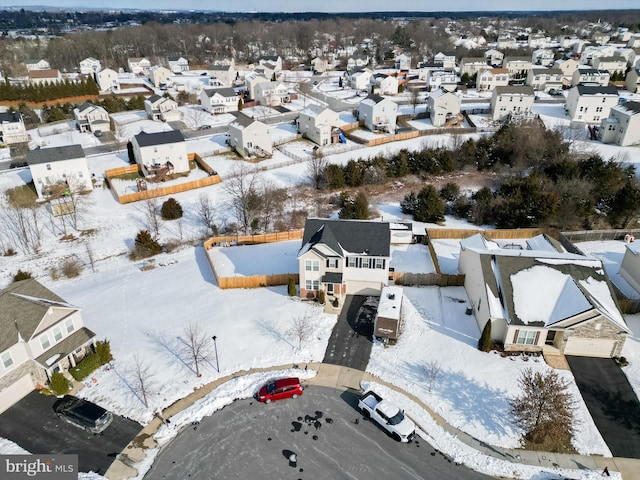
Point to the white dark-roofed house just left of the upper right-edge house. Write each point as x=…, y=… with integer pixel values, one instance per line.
x=591, y=104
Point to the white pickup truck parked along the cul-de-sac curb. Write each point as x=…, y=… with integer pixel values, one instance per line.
x=391, y=418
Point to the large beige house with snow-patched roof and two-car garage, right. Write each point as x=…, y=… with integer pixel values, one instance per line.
x=542, y=296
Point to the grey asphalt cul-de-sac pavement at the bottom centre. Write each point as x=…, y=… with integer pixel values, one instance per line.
x=323, y=427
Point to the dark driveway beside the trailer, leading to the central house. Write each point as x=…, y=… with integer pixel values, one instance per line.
x=350, y=342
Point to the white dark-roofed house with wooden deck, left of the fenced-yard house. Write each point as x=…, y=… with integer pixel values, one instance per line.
x=58, y=170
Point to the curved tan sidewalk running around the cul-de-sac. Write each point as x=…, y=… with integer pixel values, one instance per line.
x=343, y=378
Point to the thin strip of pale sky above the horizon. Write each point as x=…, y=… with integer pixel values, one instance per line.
x=336, y=5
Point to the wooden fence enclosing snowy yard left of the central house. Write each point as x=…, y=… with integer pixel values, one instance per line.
x=252, y=281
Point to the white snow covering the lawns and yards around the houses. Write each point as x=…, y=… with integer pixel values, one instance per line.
x=143, y=308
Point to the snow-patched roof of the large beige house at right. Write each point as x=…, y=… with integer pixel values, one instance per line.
x=542, y=284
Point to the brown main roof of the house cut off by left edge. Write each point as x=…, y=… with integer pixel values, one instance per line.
x=23, y=304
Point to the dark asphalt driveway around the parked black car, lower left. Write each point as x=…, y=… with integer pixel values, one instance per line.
x=32, y=424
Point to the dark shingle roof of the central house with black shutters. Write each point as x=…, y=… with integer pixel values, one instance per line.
x=347, y=237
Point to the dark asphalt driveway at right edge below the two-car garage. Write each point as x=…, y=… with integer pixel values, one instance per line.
x=611, y=402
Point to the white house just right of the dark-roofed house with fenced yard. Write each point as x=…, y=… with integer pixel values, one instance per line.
x=249, y=137
